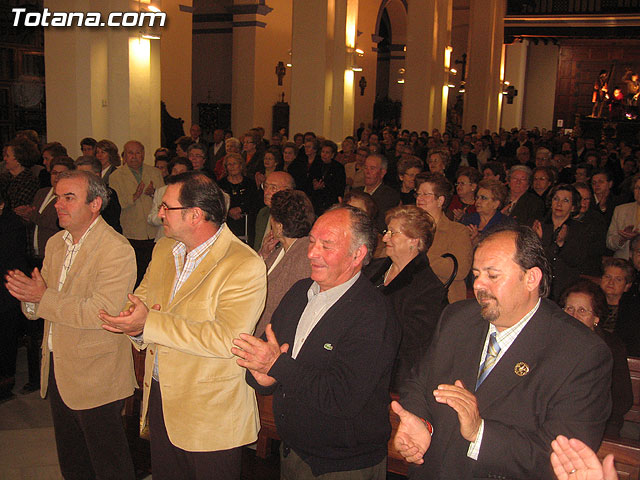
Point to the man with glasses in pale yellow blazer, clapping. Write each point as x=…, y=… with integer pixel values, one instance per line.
x=202, y=289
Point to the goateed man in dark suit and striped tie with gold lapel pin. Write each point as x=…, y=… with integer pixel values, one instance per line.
x=504, y=375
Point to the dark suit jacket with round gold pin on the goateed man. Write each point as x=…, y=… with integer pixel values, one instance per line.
x=566, y=391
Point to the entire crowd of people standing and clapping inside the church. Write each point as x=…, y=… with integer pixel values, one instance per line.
x=397, y=224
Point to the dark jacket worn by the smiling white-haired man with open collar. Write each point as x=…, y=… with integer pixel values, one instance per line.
x=331, y=403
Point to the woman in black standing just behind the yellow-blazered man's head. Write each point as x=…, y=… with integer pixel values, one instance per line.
x=244, y=198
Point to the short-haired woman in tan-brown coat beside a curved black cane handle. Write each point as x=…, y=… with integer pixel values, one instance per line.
x=433, y=193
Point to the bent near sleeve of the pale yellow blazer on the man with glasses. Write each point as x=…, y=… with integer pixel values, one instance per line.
x=207, y=324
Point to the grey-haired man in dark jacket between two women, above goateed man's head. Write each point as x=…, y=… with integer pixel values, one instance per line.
x=522, y=205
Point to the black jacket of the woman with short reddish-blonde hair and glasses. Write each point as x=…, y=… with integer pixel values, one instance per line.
x=418, y=297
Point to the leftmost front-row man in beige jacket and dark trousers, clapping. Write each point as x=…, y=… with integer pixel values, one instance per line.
x=87, y=371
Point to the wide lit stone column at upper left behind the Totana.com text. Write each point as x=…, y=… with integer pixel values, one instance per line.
x=101, y=82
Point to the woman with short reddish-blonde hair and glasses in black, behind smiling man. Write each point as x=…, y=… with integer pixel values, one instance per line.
x=416, y=293
